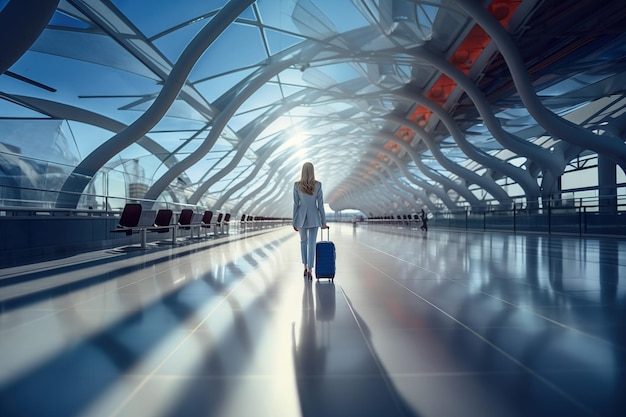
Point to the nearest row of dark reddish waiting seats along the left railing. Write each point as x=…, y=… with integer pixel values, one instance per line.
x=136, y=220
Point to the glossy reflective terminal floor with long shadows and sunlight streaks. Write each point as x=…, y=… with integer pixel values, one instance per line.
x=440, y=324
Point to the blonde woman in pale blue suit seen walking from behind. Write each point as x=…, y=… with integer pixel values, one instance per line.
x=308, y=214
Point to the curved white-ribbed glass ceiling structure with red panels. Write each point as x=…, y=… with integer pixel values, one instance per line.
x=400, y=104
